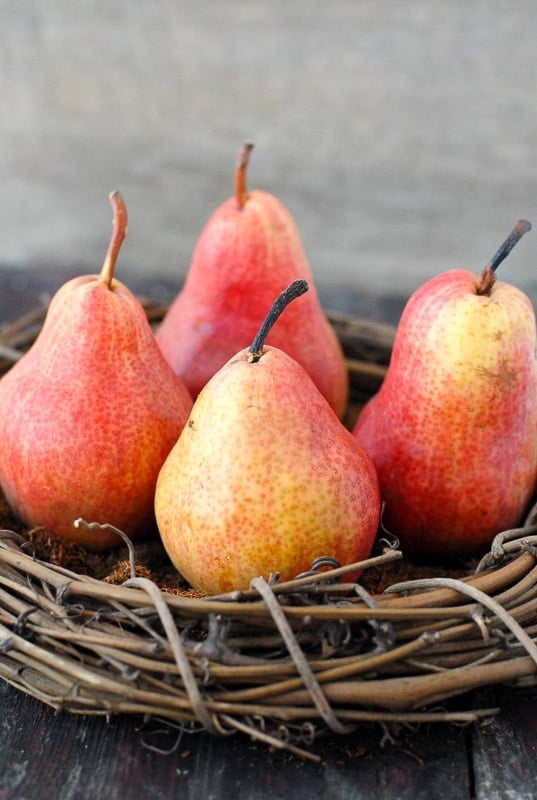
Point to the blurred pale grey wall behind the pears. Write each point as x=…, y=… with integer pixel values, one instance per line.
x=402, y=136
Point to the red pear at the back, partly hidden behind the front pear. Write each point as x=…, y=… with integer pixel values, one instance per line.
x=248, y=252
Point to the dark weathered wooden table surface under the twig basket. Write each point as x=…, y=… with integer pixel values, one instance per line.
x=64, y=757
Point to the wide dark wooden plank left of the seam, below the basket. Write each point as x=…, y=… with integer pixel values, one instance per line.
x=44, y=755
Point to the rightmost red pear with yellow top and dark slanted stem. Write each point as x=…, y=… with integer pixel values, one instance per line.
x=453, y=429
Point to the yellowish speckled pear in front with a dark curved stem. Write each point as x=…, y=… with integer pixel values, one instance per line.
x=264, y=477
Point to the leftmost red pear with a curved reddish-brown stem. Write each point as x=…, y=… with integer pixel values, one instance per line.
x=90, y=412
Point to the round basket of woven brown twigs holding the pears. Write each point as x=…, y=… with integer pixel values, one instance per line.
x=284, y=661
